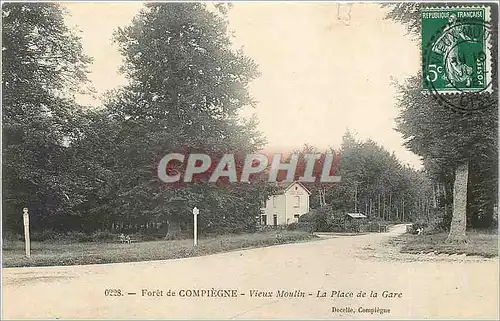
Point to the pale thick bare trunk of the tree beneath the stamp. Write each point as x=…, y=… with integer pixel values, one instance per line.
x=459, y=216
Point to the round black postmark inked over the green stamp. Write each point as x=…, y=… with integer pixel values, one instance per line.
x=457, y=65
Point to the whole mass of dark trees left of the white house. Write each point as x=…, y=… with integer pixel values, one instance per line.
x=96, y=169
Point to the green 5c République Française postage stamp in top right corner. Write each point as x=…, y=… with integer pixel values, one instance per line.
x=456, y=49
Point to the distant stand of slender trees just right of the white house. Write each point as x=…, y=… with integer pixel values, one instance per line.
x=373, y=182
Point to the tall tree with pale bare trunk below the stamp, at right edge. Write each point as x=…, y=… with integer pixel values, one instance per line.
x=451, y=143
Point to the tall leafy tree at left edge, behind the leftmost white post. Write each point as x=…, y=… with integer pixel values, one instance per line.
x=43, y=64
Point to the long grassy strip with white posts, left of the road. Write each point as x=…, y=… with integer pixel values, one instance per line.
x=57, y=254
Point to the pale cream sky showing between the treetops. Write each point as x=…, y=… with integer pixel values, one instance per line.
x=325, y=67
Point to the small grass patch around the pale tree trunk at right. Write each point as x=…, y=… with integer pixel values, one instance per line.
x=479, y=244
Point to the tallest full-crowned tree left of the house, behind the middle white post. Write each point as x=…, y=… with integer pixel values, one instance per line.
x=186, y=87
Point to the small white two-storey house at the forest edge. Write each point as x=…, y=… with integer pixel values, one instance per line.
x=291, y=201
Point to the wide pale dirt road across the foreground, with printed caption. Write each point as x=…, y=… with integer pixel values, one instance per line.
x=420, y=287
